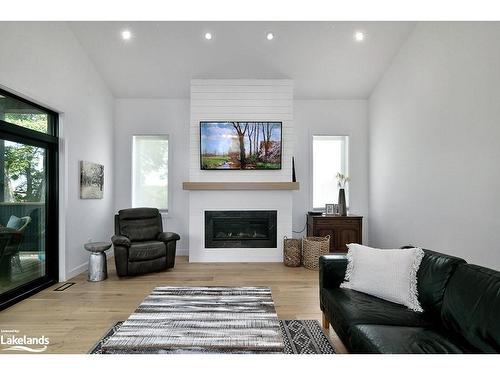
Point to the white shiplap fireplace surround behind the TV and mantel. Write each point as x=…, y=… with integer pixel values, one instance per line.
x=240, y=100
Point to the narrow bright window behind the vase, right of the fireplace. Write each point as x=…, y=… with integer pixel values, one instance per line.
x=330, y=154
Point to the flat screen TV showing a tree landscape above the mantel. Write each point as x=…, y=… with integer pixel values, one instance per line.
x=240, y=145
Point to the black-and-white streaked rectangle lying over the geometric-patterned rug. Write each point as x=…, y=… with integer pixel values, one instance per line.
x=201, y=319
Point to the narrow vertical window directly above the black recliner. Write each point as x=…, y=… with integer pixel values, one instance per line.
x=150, y=171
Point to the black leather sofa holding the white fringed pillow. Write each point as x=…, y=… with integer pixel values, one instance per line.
x=461, y=305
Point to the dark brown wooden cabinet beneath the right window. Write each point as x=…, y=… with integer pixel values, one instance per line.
x=342, y=230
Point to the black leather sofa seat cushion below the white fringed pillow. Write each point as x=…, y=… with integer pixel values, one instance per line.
x=346, y=308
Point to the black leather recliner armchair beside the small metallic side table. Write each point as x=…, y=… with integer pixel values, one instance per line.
x=140, y=244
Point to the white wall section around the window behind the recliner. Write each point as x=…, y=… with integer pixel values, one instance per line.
x=155, y=116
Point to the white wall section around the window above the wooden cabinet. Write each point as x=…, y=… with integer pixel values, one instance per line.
x=331, y=117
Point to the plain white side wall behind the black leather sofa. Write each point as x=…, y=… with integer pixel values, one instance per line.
x=435, y=143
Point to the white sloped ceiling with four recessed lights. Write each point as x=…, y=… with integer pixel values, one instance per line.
x=321, y=57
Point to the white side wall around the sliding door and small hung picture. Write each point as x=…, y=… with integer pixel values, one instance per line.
x=44, y=62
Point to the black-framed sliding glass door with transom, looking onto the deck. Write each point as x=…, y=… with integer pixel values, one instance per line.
x=28, y=198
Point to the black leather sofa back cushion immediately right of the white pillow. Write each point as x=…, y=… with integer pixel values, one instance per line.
x=432, y=278
